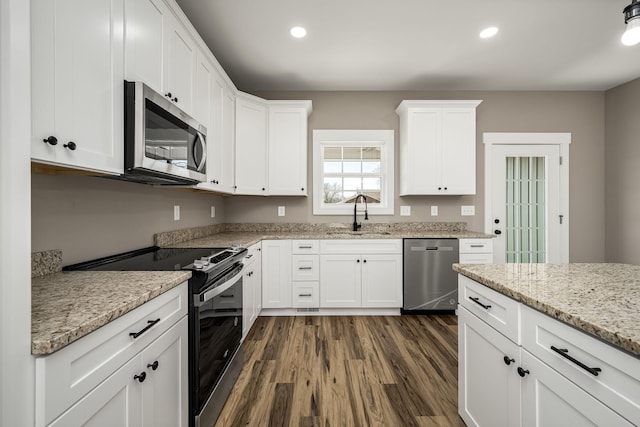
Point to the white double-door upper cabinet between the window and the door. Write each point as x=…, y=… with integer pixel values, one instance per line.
x=437, y=147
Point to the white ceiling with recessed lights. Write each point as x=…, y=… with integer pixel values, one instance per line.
x=418, y=44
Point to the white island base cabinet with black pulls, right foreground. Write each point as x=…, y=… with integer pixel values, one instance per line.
x=557, y=376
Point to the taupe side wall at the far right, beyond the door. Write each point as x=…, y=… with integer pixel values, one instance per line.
x=623, y=173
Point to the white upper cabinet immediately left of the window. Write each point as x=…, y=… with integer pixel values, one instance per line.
x=288, y=147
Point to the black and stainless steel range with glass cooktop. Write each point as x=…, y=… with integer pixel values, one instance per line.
x=215, y=317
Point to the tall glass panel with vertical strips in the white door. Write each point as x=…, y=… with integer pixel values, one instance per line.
x=525, y=210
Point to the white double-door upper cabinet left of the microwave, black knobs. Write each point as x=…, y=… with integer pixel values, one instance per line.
x=77, y=84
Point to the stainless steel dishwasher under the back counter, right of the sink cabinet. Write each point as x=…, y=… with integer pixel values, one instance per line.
x=429, y=282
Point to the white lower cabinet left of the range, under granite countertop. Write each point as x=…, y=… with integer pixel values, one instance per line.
x=111, y=378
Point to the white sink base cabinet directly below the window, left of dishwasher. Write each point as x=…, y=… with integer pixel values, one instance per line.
x=361, y=273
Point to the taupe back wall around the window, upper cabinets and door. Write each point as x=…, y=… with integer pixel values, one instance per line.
x=581, y=113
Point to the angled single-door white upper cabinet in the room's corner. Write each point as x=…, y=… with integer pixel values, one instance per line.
x=251, y=145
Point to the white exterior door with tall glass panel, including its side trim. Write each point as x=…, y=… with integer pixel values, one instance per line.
x=527, y=203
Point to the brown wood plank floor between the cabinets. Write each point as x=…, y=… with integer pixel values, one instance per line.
x=347, y=371
